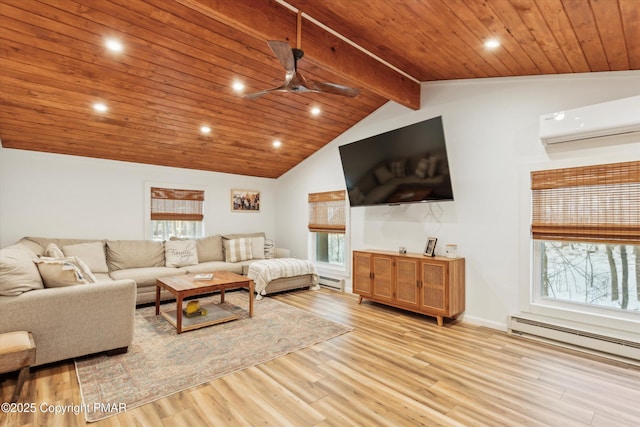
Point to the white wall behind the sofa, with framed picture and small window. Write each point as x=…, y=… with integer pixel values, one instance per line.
x=54, y=195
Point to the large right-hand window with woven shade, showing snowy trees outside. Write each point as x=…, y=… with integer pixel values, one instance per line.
x=586, y=229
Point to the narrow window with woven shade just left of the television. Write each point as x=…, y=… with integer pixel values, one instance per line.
x=327, y=223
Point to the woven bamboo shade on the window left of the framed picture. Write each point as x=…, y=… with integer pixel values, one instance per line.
x=176, y=205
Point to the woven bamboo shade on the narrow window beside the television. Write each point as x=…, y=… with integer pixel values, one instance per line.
x=327, y=212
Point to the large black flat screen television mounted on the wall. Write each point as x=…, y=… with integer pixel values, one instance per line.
x=405, y=165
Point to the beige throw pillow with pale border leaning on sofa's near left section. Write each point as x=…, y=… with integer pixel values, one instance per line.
x=59, y=272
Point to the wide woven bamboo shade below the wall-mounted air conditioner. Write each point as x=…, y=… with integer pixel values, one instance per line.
x=592, y=203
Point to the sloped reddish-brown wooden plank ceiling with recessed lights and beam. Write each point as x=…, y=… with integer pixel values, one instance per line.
x=181, y=57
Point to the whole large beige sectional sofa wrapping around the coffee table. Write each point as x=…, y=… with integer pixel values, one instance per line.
x=70, y=321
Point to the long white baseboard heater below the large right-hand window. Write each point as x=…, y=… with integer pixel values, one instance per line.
x=577, y=338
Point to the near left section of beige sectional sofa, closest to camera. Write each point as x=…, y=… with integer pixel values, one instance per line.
x=66, y=321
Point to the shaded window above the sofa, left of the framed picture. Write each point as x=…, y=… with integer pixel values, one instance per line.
x=176, y=213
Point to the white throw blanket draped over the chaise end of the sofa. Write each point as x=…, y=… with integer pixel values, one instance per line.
x=264, y=271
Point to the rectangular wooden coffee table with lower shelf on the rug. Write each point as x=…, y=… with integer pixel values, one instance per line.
x=184, y=286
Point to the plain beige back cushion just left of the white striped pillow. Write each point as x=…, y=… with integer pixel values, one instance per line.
x=123, y=254
